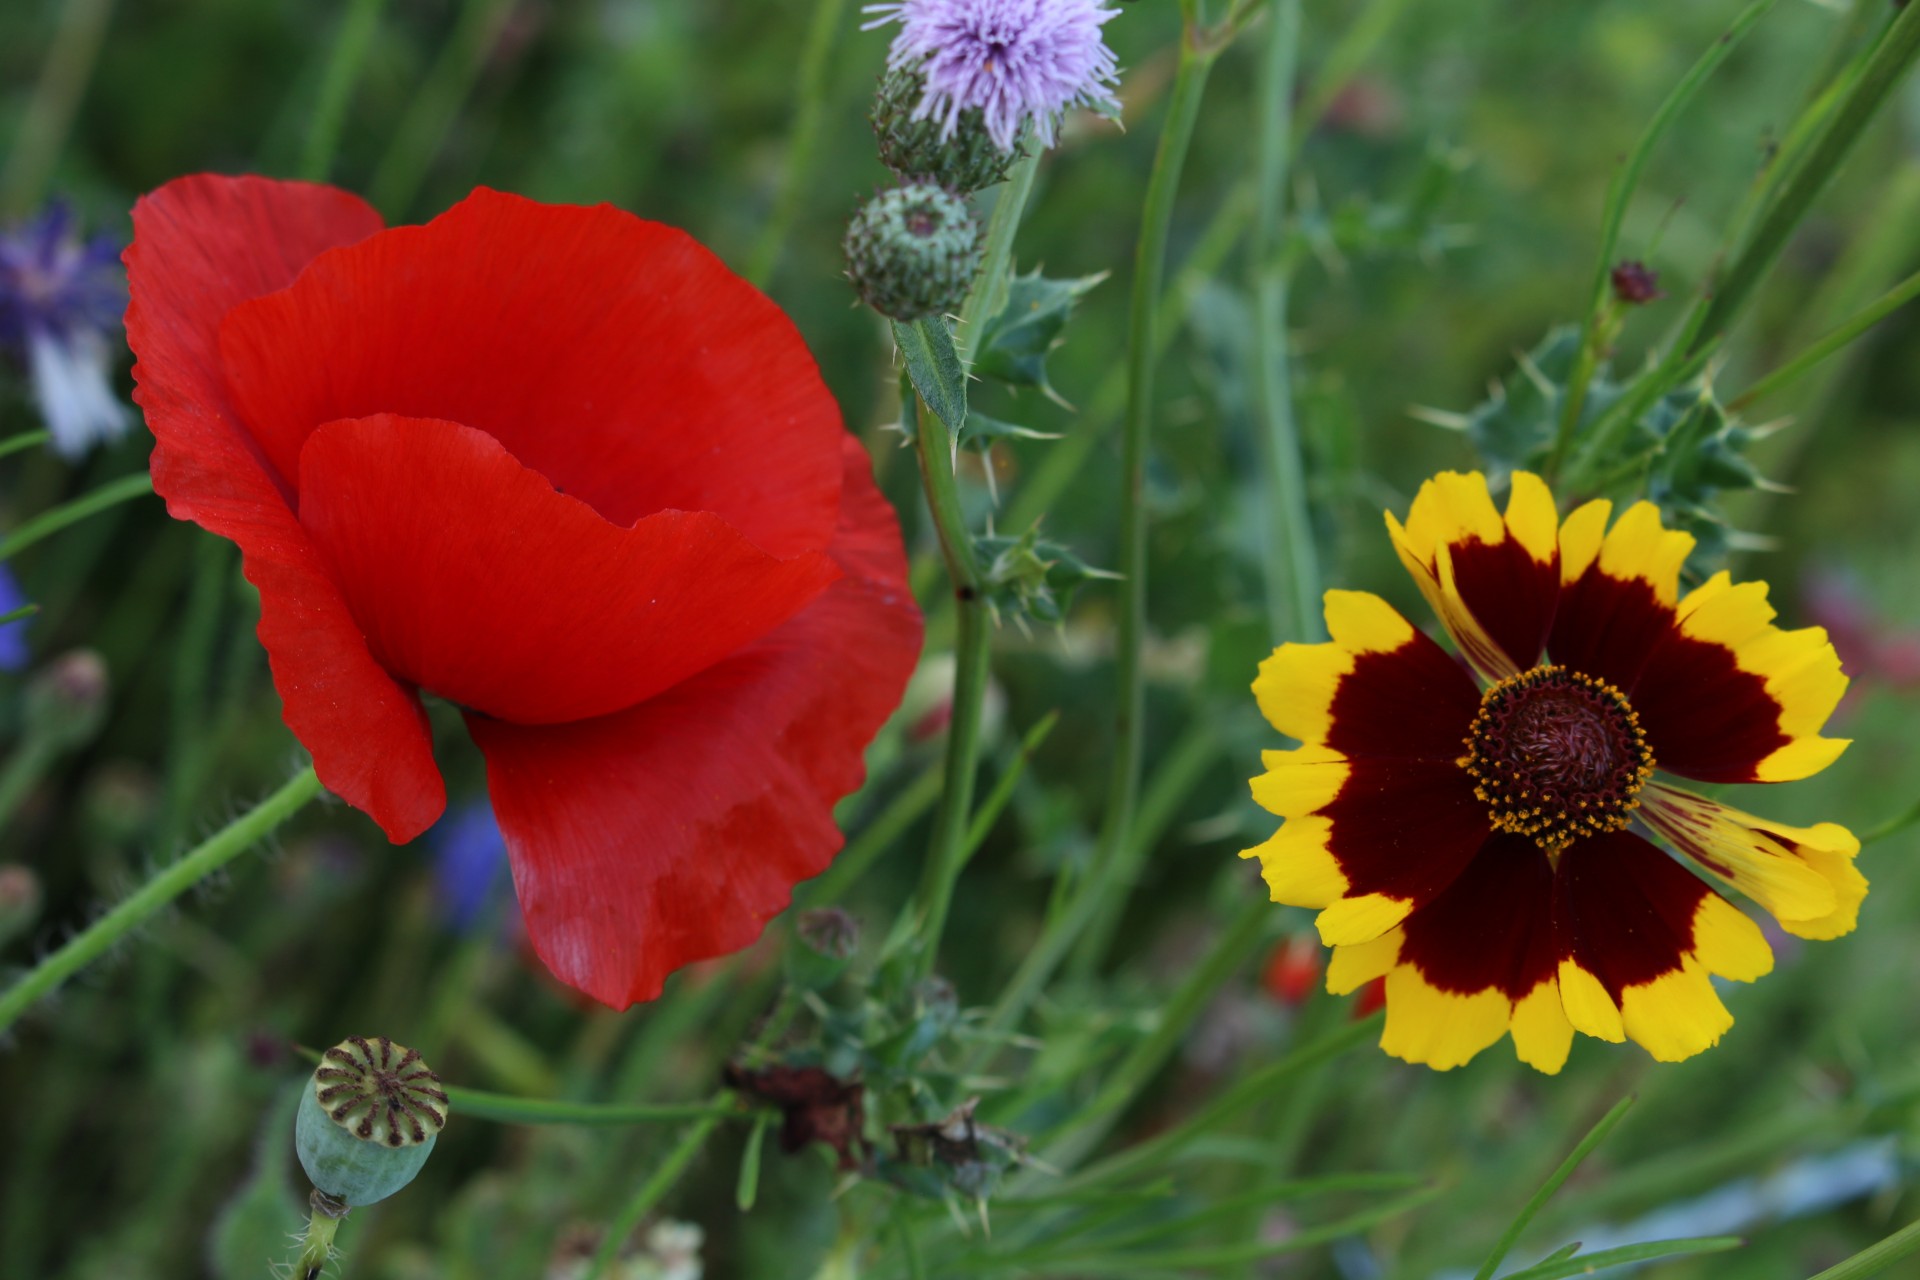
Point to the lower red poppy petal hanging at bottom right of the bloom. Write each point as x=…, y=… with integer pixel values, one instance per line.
x=677, y=830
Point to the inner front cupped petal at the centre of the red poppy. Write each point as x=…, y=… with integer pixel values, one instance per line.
x=473, y=579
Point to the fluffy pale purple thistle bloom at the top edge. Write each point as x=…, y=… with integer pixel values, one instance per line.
x=1015, y=60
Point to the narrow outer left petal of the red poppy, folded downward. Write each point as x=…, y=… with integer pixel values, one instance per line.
x=203, y=247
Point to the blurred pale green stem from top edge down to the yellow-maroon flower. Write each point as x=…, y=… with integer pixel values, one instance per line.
x=1291, y=561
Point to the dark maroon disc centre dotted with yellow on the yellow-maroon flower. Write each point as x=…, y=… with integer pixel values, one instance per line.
x=1558, y=755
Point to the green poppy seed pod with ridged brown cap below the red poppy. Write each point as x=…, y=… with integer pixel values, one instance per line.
x=368, y=1120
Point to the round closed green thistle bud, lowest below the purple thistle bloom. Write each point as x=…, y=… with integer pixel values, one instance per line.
x=913, y=250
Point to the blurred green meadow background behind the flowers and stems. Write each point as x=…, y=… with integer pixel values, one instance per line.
x=1449, y=208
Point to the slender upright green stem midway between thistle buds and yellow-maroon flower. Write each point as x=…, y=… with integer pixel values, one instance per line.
x=1149, y=268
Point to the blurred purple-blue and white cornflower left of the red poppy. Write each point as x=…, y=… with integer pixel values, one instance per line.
x=60, y=304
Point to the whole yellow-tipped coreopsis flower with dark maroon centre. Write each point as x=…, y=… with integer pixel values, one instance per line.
x=1481, y=840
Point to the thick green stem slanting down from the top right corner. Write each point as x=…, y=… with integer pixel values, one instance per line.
x=1788, y=208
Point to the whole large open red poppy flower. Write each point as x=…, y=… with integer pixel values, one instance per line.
x=564, y=469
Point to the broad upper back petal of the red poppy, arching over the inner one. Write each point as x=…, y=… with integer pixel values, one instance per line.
x=617, y=358
